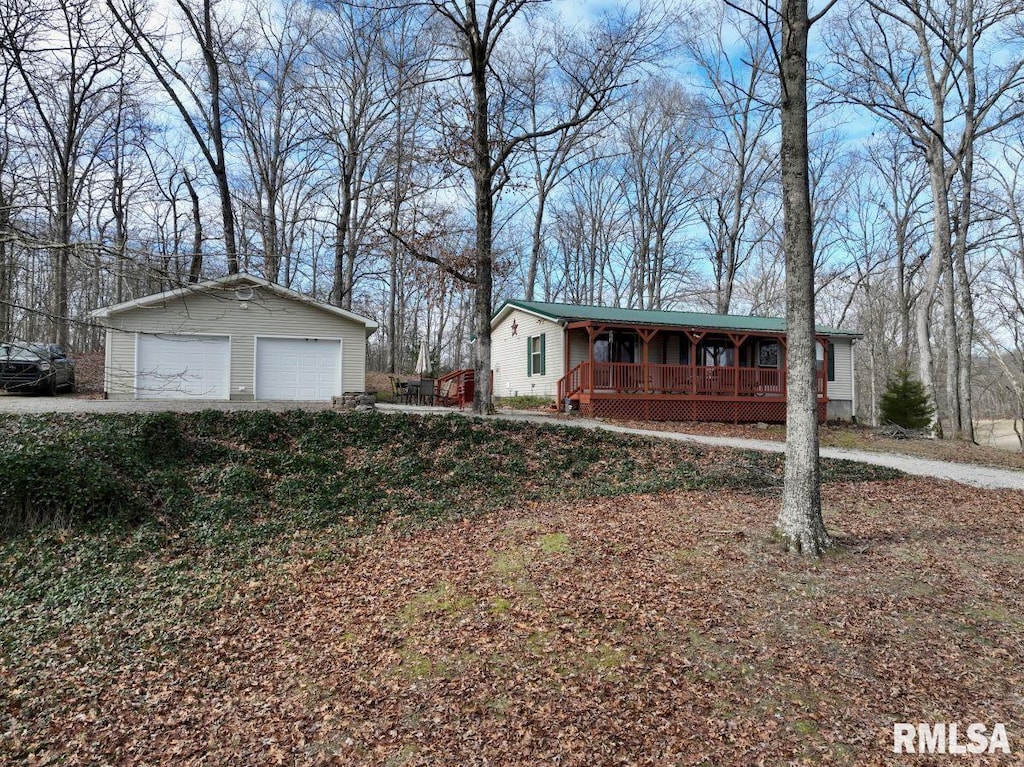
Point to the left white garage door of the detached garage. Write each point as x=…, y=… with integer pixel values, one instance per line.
x=174, y=367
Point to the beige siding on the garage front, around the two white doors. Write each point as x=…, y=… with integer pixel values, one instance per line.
x=221, y=313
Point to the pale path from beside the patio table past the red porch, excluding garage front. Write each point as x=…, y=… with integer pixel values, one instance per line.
x=972, y=475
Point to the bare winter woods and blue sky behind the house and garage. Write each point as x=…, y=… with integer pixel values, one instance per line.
x=630, y=159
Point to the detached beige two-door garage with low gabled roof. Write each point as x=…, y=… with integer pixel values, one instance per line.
x=240, y=338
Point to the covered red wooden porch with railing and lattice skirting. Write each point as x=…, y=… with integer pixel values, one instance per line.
x=679, y=374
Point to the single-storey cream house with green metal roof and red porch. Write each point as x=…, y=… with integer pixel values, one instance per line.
x=657, y=365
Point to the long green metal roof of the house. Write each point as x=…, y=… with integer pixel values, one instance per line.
x=616, y=316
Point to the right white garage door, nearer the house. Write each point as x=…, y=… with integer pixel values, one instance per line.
x=307, y=369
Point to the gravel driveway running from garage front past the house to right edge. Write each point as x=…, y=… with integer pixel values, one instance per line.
x=972, y=475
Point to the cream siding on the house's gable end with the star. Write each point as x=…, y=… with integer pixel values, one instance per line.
x=508, y=356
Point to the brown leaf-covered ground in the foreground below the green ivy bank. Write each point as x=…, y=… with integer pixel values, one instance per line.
x=659, y=629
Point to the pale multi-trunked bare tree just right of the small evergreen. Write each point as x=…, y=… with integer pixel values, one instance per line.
x=919, y=67
